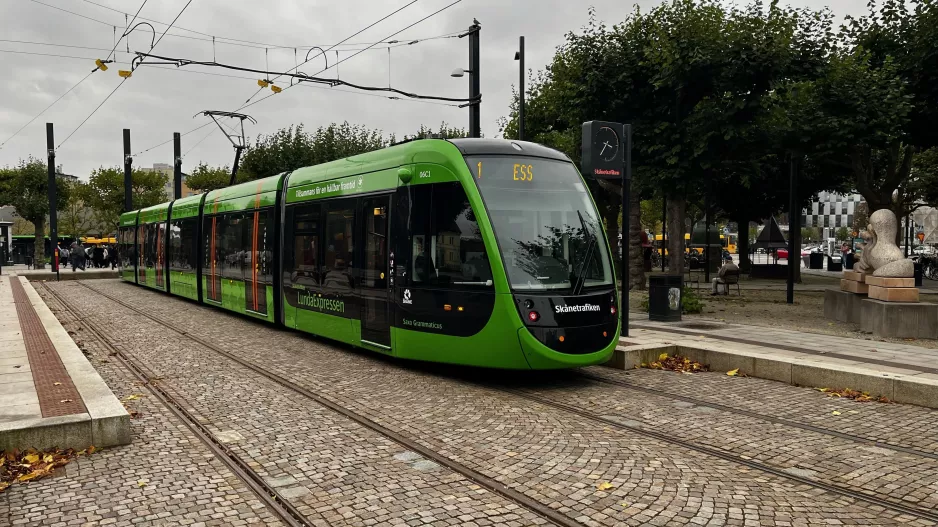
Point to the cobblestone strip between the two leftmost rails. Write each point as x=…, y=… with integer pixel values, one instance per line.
x=332, y=469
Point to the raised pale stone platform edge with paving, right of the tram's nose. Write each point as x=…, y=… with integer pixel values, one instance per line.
x=901, y=373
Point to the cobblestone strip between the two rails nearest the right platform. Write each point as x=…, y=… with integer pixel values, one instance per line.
x=900, y=476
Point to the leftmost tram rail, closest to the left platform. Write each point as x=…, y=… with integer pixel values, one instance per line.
x=267, y=494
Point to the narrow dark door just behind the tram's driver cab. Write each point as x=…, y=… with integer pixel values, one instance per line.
x=375, y=315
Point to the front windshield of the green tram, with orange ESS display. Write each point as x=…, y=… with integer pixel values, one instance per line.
x=548, y=229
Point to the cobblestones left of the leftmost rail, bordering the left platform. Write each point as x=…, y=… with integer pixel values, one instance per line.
x=166, y=476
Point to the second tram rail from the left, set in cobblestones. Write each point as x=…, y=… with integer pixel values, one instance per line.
x=535, y=507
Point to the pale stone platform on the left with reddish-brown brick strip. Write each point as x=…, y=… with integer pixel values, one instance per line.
x=51, y=395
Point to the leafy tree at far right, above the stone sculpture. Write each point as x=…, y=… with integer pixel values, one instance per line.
x=873, y=110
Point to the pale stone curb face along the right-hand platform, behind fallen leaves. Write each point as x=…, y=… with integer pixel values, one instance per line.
x=898, y=385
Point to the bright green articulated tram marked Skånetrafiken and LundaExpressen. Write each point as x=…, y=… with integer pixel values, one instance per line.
x=468, y=251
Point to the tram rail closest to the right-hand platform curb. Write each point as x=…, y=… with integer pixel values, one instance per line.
x=761, y=416
